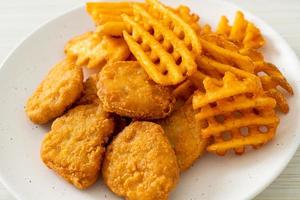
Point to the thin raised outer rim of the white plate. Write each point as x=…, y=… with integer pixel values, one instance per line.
x=254, y=192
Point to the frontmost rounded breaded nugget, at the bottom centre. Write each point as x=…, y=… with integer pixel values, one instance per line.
x=140, y=164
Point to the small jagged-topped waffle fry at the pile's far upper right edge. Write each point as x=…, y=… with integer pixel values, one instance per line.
x=243, y=33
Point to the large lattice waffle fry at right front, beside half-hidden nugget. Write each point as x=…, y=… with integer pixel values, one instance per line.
x=226, y=107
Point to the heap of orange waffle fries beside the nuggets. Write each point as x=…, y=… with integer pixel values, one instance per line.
x=234, y=90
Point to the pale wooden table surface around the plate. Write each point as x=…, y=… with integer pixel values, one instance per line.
x=19, y=17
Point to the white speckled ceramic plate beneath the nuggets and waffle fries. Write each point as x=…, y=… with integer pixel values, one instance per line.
x=212, y=177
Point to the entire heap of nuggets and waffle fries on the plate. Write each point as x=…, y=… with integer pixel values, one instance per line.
x=162, y=91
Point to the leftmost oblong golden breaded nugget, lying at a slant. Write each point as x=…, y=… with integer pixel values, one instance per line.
x=61, y=87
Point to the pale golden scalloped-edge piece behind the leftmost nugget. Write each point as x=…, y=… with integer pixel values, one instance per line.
x=93, y=51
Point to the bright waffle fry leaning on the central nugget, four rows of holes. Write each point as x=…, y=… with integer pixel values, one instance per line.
x=165, y=52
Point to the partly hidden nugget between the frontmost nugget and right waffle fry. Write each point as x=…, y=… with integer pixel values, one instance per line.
x=183, y=132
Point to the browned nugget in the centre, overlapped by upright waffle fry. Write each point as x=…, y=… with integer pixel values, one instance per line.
x=126, y=89
